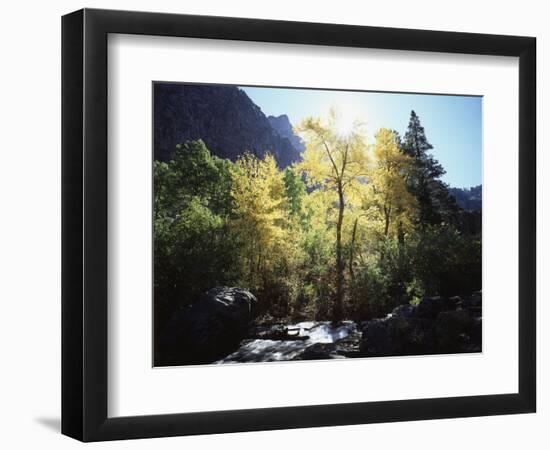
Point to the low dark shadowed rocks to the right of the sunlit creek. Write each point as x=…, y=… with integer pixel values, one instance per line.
x=435, y=325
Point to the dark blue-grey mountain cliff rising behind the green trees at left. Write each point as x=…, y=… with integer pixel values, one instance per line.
x=224, y=117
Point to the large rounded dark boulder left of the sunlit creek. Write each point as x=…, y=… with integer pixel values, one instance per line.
x=209, y=329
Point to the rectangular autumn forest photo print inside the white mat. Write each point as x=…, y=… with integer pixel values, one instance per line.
x=294, y=224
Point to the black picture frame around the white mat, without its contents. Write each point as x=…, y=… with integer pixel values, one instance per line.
x=84, y=224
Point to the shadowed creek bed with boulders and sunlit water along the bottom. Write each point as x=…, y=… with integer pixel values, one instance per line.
x=220, y=329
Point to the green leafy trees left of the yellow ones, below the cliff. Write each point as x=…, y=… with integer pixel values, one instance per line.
x=193, y=249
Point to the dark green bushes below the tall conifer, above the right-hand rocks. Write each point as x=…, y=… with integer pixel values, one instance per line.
x=435, y=261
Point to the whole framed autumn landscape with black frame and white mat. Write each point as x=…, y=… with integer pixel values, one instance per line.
x=273, y=224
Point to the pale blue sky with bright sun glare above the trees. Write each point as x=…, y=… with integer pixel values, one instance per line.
x=453, y=124
